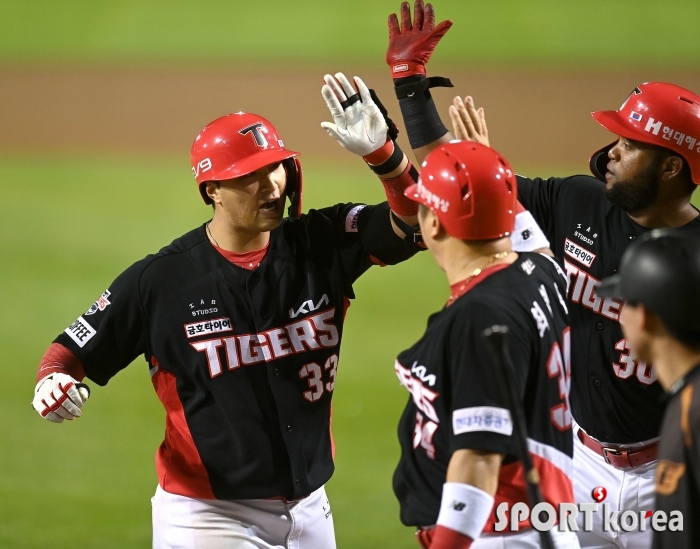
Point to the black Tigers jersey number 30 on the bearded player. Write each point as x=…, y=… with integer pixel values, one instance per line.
x=614, y=397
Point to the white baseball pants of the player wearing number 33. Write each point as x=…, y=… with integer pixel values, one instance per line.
x=180, y=522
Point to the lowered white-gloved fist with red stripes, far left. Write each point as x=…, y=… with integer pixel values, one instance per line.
x=59, y=396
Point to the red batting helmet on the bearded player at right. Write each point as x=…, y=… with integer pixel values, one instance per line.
x=656, y=113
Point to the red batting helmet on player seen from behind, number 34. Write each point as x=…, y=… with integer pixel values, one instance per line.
x=471, y=188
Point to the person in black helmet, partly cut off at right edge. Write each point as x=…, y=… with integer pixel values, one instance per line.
x=659, y=280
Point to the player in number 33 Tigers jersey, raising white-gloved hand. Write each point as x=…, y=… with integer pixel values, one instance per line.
x=240, y=321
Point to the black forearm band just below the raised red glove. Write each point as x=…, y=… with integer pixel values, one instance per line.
x=420, y=116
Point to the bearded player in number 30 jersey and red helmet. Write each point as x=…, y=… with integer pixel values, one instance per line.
x=650, y=173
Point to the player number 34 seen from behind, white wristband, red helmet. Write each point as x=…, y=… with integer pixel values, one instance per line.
x=458, y=463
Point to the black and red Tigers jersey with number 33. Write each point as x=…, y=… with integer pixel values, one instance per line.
x=245, y=362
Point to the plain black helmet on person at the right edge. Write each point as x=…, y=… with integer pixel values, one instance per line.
x=661, y=271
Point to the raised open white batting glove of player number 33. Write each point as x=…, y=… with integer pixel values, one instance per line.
x=360, y=126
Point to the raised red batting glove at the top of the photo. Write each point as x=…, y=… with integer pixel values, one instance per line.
x=411, y=45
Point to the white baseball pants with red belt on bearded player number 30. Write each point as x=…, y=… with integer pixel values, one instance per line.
x=627, y=490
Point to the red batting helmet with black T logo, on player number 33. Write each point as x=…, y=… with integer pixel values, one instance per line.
x=241, y=143
